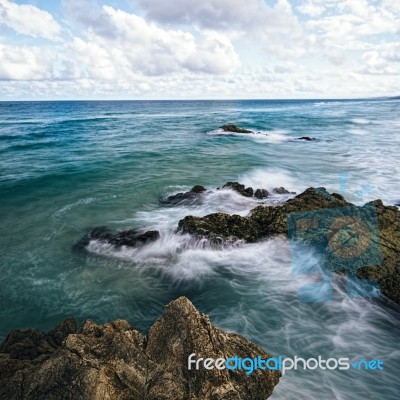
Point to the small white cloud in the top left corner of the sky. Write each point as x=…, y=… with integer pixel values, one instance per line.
x=28, y=20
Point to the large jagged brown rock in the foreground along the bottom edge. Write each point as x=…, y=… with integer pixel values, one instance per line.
x=116, y=361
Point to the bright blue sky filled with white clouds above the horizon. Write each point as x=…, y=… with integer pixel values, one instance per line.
x=199, y=49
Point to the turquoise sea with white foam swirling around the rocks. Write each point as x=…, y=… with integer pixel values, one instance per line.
x=66, y=167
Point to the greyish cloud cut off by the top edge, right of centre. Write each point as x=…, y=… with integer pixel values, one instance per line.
x=275, y=25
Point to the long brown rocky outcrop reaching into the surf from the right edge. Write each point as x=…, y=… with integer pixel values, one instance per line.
x=364, y=241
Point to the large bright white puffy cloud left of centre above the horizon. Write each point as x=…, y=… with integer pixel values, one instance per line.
x=141, y=47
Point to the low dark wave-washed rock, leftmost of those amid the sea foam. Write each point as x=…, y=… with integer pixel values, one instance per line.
x=129, y=237
